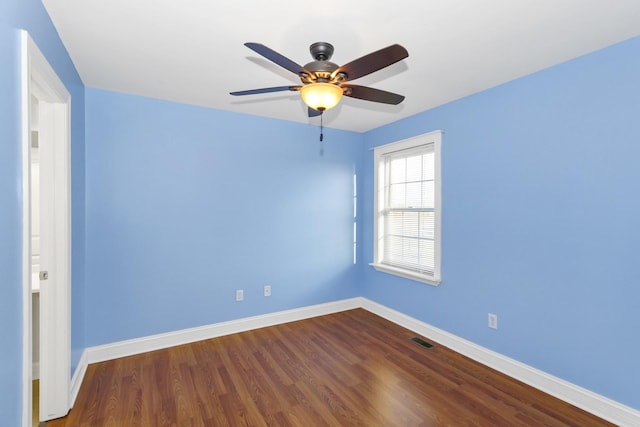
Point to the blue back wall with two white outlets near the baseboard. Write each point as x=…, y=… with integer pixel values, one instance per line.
x=186, y=204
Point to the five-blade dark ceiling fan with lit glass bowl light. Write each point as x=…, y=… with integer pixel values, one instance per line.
x=323, y=82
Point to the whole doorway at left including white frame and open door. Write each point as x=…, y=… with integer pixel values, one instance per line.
x=46, y=238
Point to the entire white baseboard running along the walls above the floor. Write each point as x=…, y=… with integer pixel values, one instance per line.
x=589, y=401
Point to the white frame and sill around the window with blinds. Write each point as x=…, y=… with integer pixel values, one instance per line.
x=432, y=138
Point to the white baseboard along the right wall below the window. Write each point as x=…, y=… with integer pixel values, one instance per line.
x=594, y=403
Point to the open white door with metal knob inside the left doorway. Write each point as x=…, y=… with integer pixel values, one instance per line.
x=55, y=343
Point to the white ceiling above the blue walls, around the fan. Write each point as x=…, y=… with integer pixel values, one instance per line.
x=191, y=51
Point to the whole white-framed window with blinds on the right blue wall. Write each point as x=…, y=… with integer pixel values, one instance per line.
x=407, y=208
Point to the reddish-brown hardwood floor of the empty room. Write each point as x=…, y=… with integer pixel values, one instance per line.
x=349, y=368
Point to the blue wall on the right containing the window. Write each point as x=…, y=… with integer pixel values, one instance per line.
x=541, y=221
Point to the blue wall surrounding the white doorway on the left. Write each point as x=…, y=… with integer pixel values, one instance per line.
x=30, y=15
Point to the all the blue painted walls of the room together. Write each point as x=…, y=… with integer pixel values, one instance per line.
x=184, y=205
